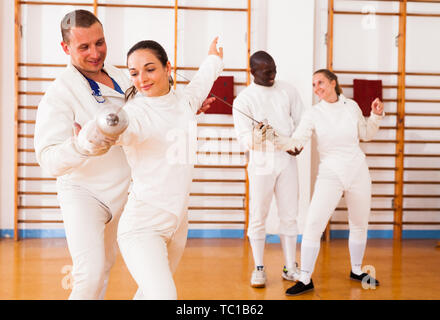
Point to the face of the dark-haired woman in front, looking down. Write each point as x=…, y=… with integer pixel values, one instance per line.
x=148, y=74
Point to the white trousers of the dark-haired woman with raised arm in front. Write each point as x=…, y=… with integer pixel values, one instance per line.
x=152, y=241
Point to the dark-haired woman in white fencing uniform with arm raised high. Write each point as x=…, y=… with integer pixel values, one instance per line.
x=160, y=147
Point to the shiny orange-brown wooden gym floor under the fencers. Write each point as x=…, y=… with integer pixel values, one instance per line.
x=220, y=269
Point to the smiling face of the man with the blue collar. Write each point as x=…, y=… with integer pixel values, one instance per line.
x=87, y=48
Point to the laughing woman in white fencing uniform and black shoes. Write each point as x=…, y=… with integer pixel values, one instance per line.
x=338, y=124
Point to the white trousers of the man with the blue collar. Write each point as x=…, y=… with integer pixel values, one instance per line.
x=91, y=230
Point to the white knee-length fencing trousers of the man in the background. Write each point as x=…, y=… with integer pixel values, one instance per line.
x=281, y=181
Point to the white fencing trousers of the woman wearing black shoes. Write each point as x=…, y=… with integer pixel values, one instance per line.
x=328, y=192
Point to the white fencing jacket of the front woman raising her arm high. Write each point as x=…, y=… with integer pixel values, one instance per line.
x=160, y=141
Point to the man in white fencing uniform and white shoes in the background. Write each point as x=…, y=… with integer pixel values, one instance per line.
x=271, y=171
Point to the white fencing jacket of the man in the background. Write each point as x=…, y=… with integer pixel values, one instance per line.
x=280, y=105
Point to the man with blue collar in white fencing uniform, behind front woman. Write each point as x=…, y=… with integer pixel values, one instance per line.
x=92, y=189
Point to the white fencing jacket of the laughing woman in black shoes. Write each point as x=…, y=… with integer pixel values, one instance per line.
x=338, y=127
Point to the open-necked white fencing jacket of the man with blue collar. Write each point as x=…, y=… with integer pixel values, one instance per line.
x=69, y=99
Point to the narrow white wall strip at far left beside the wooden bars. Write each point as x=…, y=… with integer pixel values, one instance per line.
x=7, y=114
